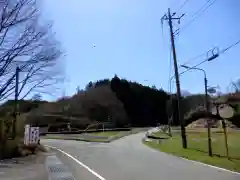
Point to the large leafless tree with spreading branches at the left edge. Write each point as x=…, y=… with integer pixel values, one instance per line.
x=26, y=42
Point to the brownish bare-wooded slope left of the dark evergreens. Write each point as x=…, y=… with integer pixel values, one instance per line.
x=83, y=108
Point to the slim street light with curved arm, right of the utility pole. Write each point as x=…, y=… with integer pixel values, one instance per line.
x=206, y=105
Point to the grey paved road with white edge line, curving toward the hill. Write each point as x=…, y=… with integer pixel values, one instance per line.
x=129, y=159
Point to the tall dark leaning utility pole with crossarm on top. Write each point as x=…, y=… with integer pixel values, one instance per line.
x=169, y=17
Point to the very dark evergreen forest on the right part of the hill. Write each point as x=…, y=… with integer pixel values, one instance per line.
x=143, y=105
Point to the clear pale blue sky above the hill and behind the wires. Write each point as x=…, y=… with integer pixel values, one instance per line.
x=130, y=41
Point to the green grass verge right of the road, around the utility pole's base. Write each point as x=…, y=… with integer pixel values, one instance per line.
x=198, y=149
